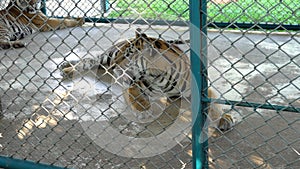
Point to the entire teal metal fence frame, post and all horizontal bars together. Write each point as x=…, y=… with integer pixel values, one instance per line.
x=198, y=35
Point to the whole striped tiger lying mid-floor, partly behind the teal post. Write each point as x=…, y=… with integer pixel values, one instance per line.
x=148, y=66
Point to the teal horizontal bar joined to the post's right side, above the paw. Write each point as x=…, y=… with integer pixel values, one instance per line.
x=254, y=105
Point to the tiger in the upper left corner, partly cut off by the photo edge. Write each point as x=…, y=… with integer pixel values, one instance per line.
x=24, y=17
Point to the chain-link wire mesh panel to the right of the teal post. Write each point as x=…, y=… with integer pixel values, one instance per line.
x=246, y=67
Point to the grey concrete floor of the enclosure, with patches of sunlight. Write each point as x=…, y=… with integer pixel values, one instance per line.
x=82, y=123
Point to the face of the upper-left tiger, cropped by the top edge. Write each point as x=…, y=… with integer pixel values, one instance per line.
x=30, y=6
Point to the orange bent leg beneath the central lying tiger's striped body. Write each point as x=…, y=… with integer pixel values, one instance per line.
x=136, y=98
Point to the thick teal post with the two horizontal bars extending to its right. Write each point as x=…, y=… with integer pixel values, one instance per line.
x=198, y=35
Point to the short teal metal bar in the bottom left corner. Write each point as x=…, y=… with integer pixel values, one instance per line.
x=12, y=163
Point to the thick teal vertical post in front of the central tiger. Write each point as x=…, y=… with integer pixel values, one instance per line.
x=198, y=32
